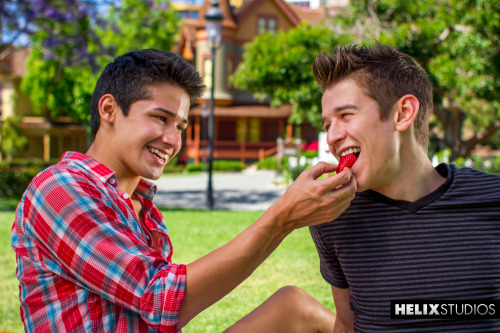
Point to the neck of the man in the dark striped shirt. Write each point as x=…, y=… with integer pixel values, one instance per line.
x=414, y=177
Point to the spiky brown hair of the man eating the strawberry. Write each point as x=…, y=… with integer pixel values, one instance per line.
x=384, y=74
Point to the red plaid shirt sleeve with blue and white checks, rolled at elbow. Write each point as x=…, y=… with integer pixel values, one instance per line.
x=71, y=229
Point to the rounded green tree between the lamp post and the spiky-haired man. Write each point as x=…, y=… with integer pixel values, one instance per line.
x=278, y=66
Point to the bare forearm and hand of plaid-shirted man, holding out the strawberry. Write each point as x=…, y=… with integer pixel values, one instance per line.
x=309, y=201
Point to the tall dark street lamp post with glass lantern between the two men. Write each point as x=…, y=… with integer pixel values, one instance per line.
x=213, y=30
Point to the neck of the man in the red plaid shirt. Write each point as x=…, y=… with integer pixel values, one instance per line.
x=126, y=183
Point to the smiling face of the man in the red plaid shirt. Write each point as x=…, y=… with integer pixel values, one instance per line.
x=150, y=135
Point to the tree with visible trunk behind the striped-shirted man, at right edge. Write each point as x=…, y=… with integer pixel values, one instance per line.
x=457, y=42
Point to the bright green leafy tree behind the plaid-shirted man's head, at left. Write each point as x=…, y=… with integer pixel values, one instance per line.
x=59, y=77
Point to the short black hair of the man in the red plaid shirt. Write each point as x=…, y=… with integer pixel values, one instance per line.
x=130, y=76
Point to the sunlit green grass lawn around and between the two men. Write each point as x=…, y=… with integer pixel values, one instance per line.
x=195, y=233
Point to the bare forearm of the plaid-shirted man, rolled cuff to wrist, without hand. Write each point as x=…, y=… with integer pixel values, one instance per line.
x=213, y=276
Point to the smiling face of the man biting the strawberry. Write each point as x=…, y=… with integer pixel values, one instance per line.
x=352, y=122
